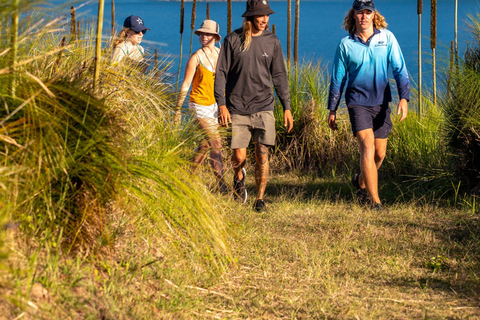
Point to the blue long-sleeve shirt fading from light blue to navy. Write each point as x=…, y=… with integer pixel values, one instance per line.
x=366, y=65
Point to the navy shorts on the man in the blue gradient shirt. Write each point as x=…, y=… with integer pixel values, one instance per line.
x=376, y=118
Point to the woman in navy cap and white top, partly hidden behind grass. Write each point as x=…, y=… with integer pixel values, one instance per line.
x=128, y=41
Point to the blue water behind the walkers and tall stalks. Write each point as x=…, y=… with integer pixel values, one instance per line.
x=320, y=25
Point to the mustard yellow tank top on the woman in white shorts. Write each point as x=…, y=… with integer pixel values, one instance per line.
x=202, y=86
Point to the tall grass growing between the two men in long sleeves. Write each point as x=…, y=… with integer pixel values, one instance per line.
x=312, y=146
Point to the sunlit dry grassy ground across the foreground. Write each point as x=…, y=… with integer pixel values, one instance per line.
x=315, y=254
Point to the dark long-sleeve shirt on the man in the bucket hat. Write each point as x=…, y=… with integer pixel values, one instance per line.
x=243, y=79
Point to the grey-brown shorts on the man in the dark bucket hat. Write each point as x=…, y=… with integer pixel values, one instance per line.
x=260, y=124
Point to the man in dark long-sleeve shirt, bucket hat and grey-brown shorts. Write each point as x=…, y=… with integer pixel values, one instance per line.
x=250, y=59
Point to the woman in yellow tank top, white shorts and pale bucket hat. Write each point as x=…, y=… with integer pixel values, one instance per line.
x=200, y=73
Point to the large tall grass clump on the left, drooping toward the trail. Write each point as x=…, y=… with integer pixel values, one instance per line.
x=70, y=159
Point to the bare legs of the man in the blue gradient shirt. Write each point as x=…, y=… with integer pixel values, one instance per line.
x=368, y=162
